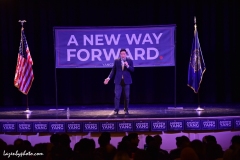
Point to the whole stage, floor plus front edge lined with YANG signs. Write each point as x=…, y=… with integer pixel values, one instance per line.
x=99, y=118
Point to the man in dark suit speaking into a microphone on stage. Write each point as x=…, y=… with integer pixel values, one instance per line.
x=121, y=69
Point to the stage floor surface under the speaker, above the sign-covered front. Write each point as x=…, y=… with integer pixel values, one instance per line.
x=104, y=112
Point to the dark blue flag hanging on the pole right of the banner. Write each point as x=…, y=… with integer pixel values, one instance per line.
x=197, y=66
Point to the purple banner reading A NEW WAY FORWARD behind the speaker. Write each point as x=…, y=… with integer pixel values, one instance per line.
x=98, y=47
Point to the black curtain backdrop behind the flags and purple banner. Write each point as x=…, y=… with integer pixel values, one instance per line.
x=218, y=33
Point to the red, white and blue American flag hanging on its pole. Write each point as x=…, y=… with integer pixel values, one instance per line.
x=24, y=72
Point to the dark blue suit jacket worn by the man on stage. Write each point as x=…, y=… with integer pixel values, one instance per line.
x=118, y=72
